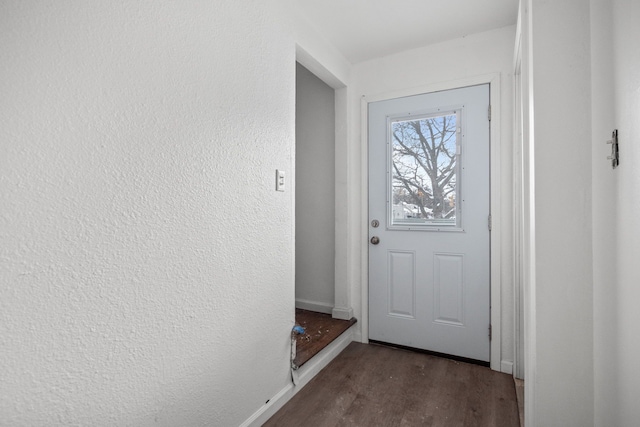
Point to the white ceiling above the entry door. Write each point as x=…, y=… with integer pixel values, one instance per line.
x=366, y=29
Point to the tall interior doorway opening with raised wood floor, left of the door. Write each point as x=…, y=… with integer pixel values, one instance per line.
x=318, y=220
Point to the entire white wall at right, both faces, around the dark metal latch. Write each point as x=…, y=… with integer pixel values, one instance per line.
x=585, y=366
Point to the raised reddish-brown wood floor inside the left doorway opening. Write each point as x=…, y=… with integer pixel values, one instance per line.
x=320, y=330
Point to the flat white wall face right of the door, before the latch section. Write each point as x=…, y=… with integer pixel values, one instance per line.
x=559, y=105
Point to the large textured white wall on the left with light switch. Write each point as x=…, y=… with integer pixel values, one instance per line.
x=146, y=260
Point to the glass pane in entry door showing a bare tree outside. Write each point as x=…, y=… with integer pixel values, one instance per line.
x=424, y=171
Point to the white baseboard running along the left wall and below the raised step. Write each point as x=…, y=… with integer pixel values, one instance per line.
x=304, y=375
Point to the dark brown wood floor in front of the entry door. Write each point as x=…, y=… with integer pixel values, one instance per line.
x=373, y=385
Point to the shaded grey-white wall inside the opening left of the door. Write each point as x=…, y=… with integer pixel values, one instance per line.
x=315, y=192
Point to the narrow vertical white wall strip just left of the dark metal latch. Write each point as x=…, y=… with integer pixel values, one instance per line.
x=604, y=211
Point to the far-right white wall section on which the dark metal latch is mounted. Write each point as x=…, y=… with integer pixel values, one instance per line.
x=616, y=203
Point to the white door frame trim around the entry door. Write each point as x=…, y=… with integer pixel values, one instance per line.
x=495, y=201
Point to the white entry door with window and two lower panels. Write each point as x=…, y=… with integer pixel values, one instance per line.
x=429, y=275
